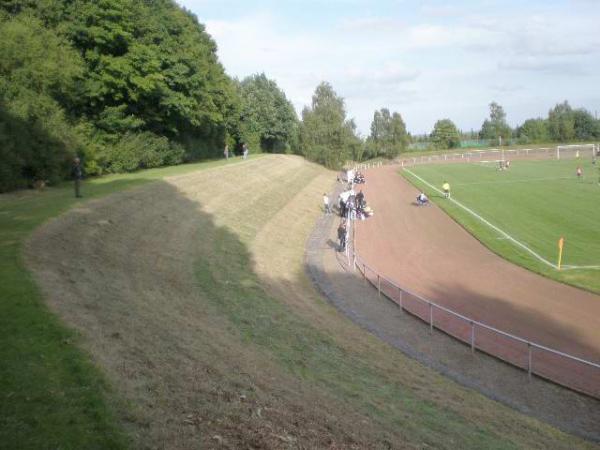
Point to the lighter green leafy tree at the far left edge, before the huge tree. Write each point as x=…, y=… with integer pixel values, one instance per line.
x=38, y=71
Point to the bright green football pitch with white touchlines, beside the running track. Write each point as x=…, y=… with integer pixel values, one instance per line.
x=527, y=209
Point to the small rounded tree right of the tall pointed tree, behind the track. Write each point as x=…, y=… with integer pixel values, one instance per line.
x=388, y=135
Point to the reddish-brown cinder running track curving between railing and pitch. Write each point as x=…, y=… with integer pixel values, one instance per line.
x=424, y=250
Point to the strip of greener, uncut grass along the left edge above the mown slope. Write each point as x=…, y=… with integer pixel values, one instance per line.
x=51, y=395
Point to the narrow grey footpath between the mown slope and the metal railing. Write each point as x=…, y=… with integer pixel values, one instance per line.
x=347, y=291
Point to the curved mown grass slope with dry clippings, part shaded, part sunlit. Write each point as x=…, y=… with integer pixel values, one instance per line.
x=215, y=336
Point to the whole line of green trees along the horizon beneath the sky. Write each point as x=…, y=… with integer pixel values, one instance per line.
x=131, y=84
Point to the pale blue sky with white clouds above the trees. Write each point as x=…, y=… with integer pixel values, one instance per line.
x=426, y=59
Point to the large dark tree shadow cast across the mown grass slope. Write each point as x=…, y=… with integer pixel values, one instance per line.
x=181, y=347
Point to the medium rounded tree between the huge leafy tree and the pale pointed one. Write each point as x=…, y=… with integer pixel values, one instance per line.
x=267, y=118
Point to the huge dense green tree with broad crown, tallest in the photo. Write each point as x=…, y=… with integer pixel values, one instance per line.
x=146, y=68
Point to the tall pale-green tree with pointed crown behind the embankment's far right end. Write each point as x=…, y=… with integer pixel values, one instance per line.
x=325, y=135
